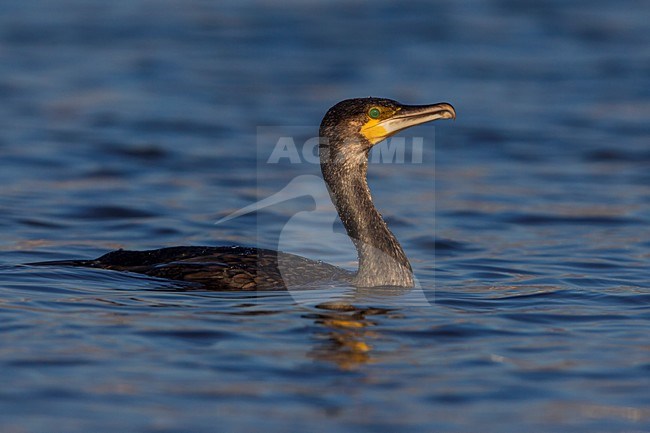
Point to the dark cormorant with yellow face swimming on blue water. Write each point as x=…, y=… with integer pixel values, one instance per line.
x=348, y=131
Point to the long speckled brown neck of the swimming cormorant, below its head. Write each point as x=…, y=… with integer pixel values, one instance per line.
x=382, y=261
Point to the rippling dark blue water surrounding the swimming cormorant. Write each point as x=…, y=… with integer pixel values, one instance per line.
x=135, y=124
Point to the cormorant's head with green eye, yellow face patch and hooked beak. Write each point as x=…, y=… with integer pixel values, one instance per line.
x=352, y=127
